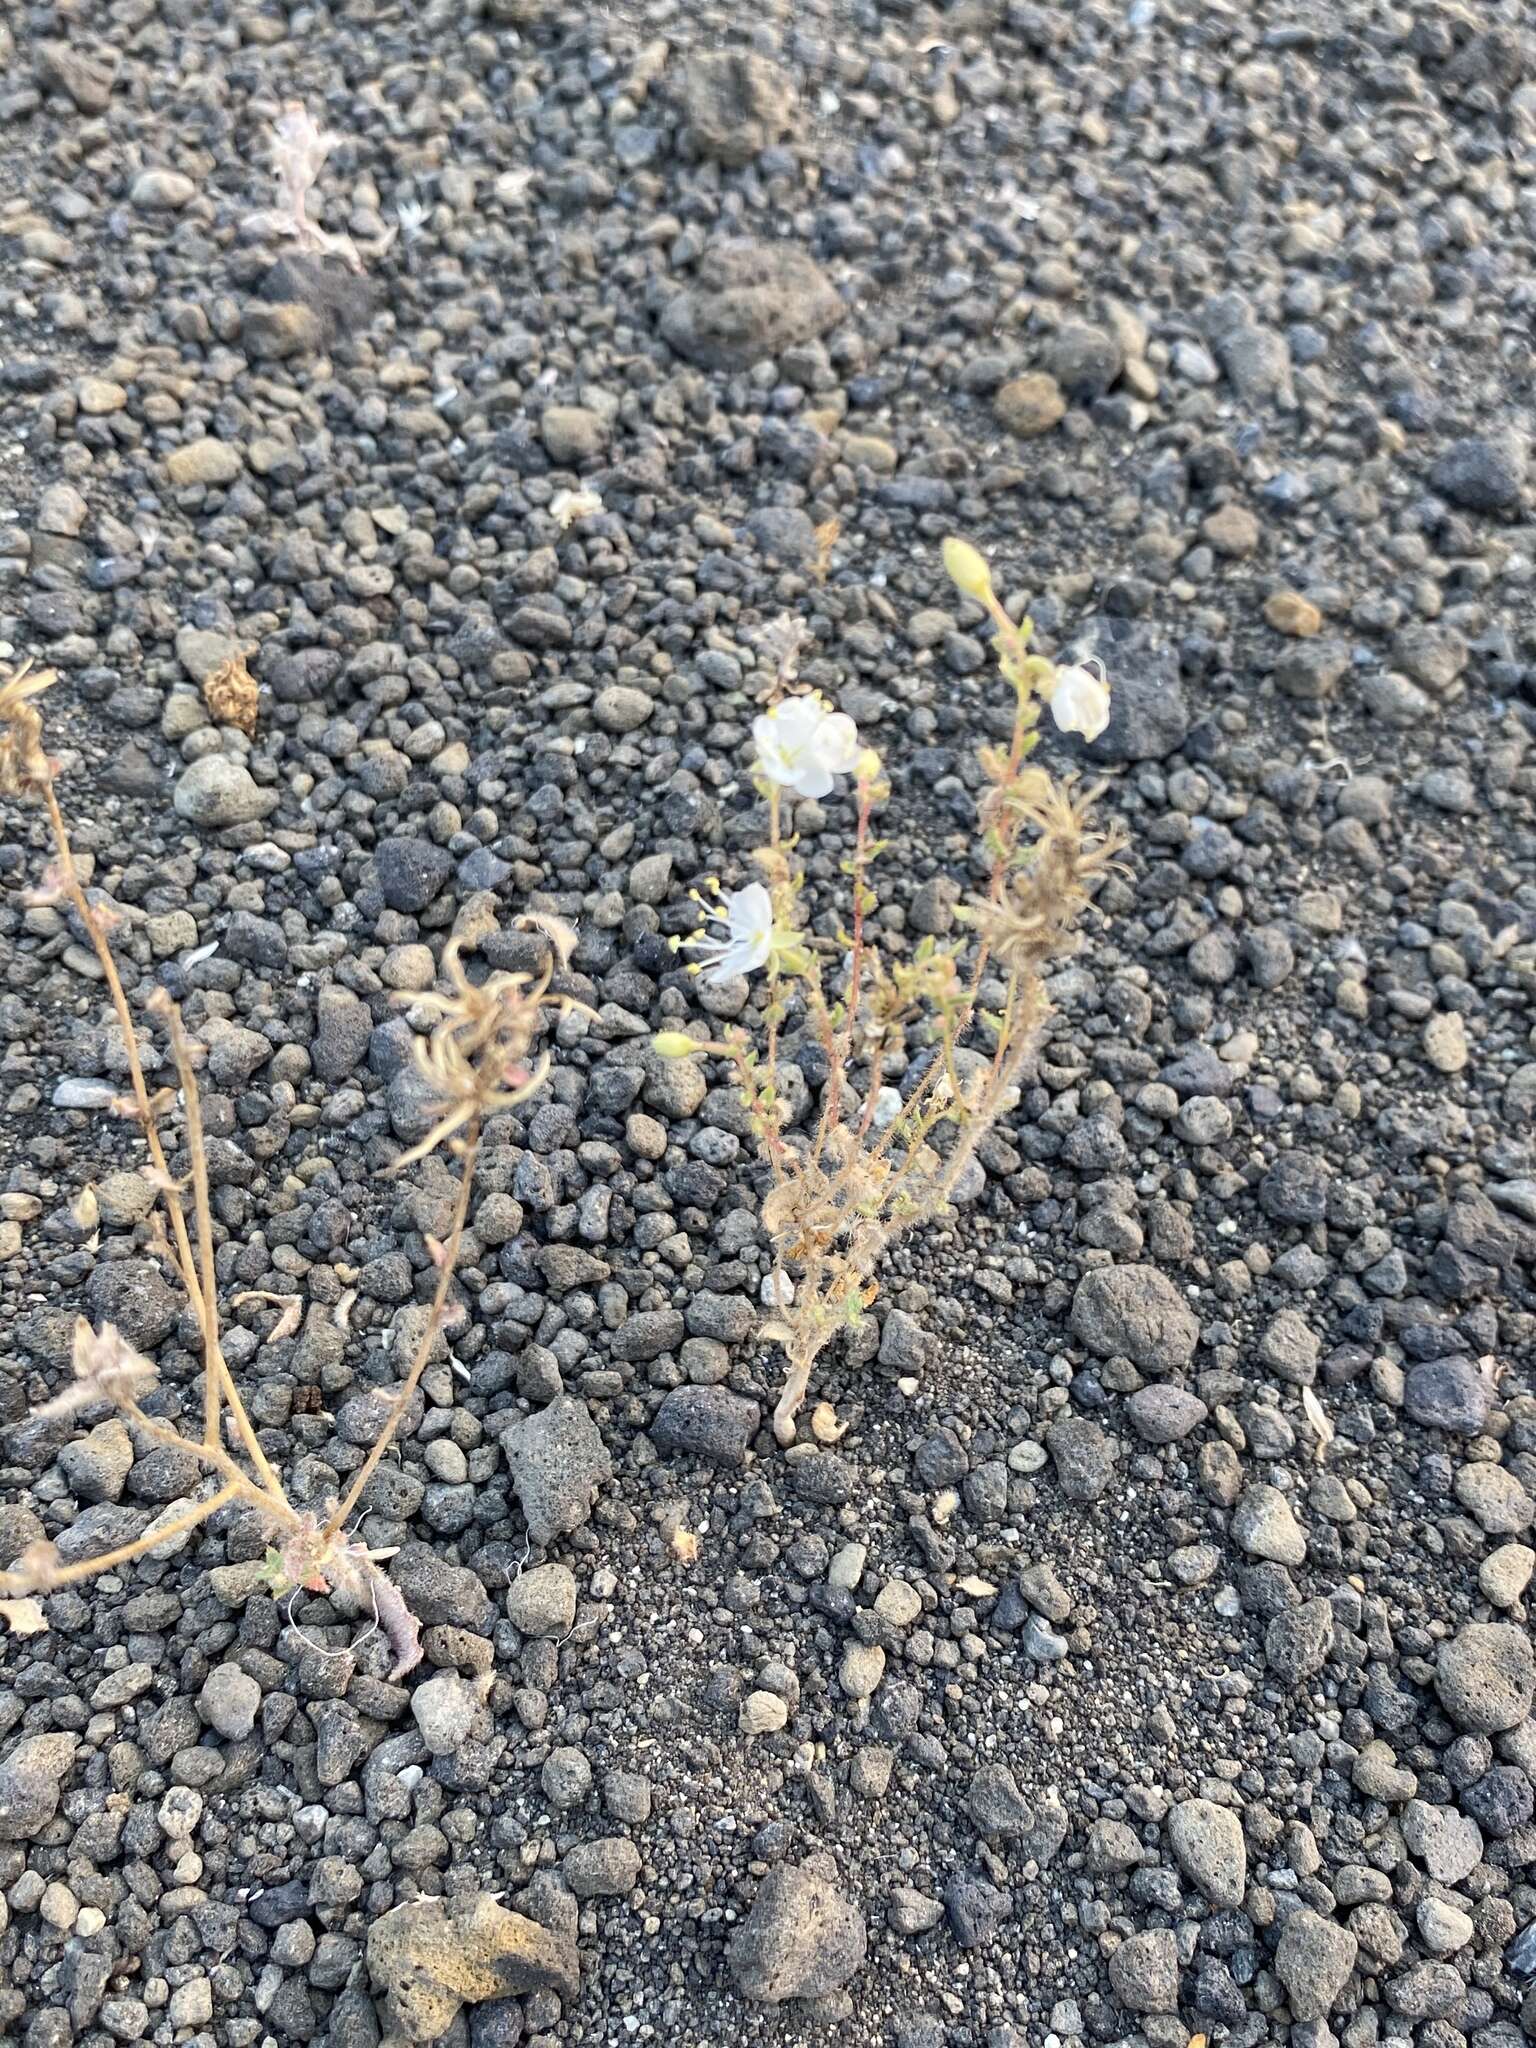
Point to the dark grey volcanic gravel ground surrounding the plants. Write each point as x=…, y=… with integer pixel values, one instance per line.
x=1150, y=1656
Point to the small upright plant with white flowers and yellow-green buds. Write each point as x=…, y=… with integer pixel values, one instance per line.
x=921, y=1054
